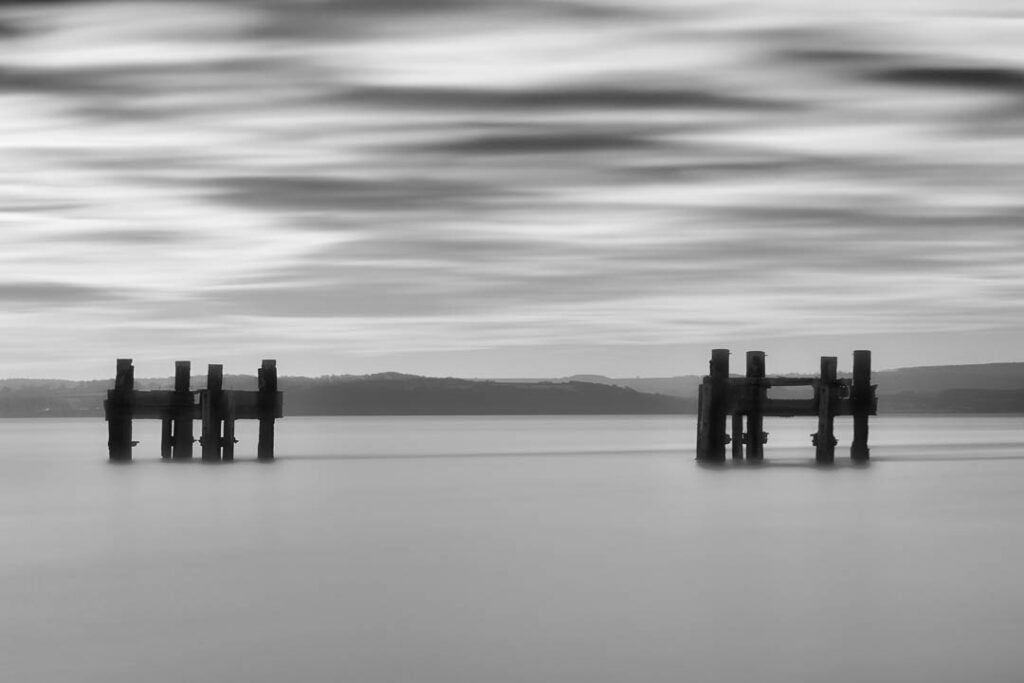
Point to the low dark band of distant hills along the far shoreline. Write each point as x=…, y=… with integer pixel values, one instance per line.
x=983, y=389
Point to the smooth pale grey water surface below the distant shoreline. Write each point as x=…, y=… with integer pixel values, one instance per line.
x=515, y=549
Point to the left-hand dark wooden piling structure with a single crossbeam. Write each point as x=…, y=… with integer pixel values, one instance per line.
x=216, y=407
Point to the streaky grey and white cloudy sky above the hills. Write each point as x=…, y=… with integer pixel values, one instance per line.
x=509, y=189
